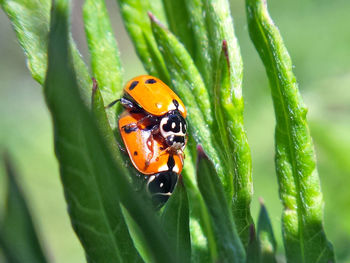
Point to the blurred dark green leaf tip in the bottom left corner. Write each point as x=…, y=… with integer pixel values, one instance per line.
x=18, y=238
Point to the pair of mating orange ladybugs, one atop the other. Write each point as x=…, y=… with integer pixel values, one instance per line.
x=153, y=129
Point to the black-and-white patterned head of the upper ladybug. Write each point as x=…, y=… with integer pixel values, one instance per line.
x=173, y=128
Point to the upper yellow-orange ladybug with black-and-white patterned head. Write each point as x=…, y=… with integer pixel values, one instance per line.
x=162, y=109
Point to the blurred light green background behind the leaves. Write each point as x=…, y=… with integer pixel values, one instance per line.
x=317, y=35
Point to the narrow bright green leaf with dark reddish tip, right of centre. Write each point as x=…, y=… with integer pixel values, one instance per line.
x=232, y=140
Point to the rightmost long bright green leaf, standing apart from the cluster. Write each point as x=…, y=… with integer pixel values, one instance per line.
x=299, y=186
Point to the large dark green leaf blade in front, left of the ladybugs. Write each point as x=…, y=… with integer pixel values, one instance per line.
x=88, y=204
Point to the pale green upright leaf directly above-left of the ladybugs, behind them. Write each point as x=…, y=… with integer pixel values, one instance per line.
x=105, y=60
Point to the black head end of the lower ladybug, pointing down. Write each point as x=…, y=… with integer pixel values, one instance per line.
x=161, y=186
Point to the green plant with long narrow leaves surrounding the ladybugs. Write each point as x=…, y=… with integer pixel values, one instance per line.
x=199, y=57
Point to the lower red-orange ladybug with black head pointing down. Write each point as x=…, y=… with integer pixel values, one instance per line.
x=149, y=156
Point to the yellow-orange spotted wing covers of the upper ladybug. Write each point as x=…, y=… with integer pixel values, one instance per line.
x=153, y=95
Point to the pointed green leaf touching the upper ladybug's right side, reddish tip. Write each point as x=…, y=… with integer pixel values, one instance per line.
x=189, y=85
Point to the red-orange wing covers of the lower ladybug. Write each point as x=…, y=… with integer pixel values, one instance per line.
x=140, y=144
